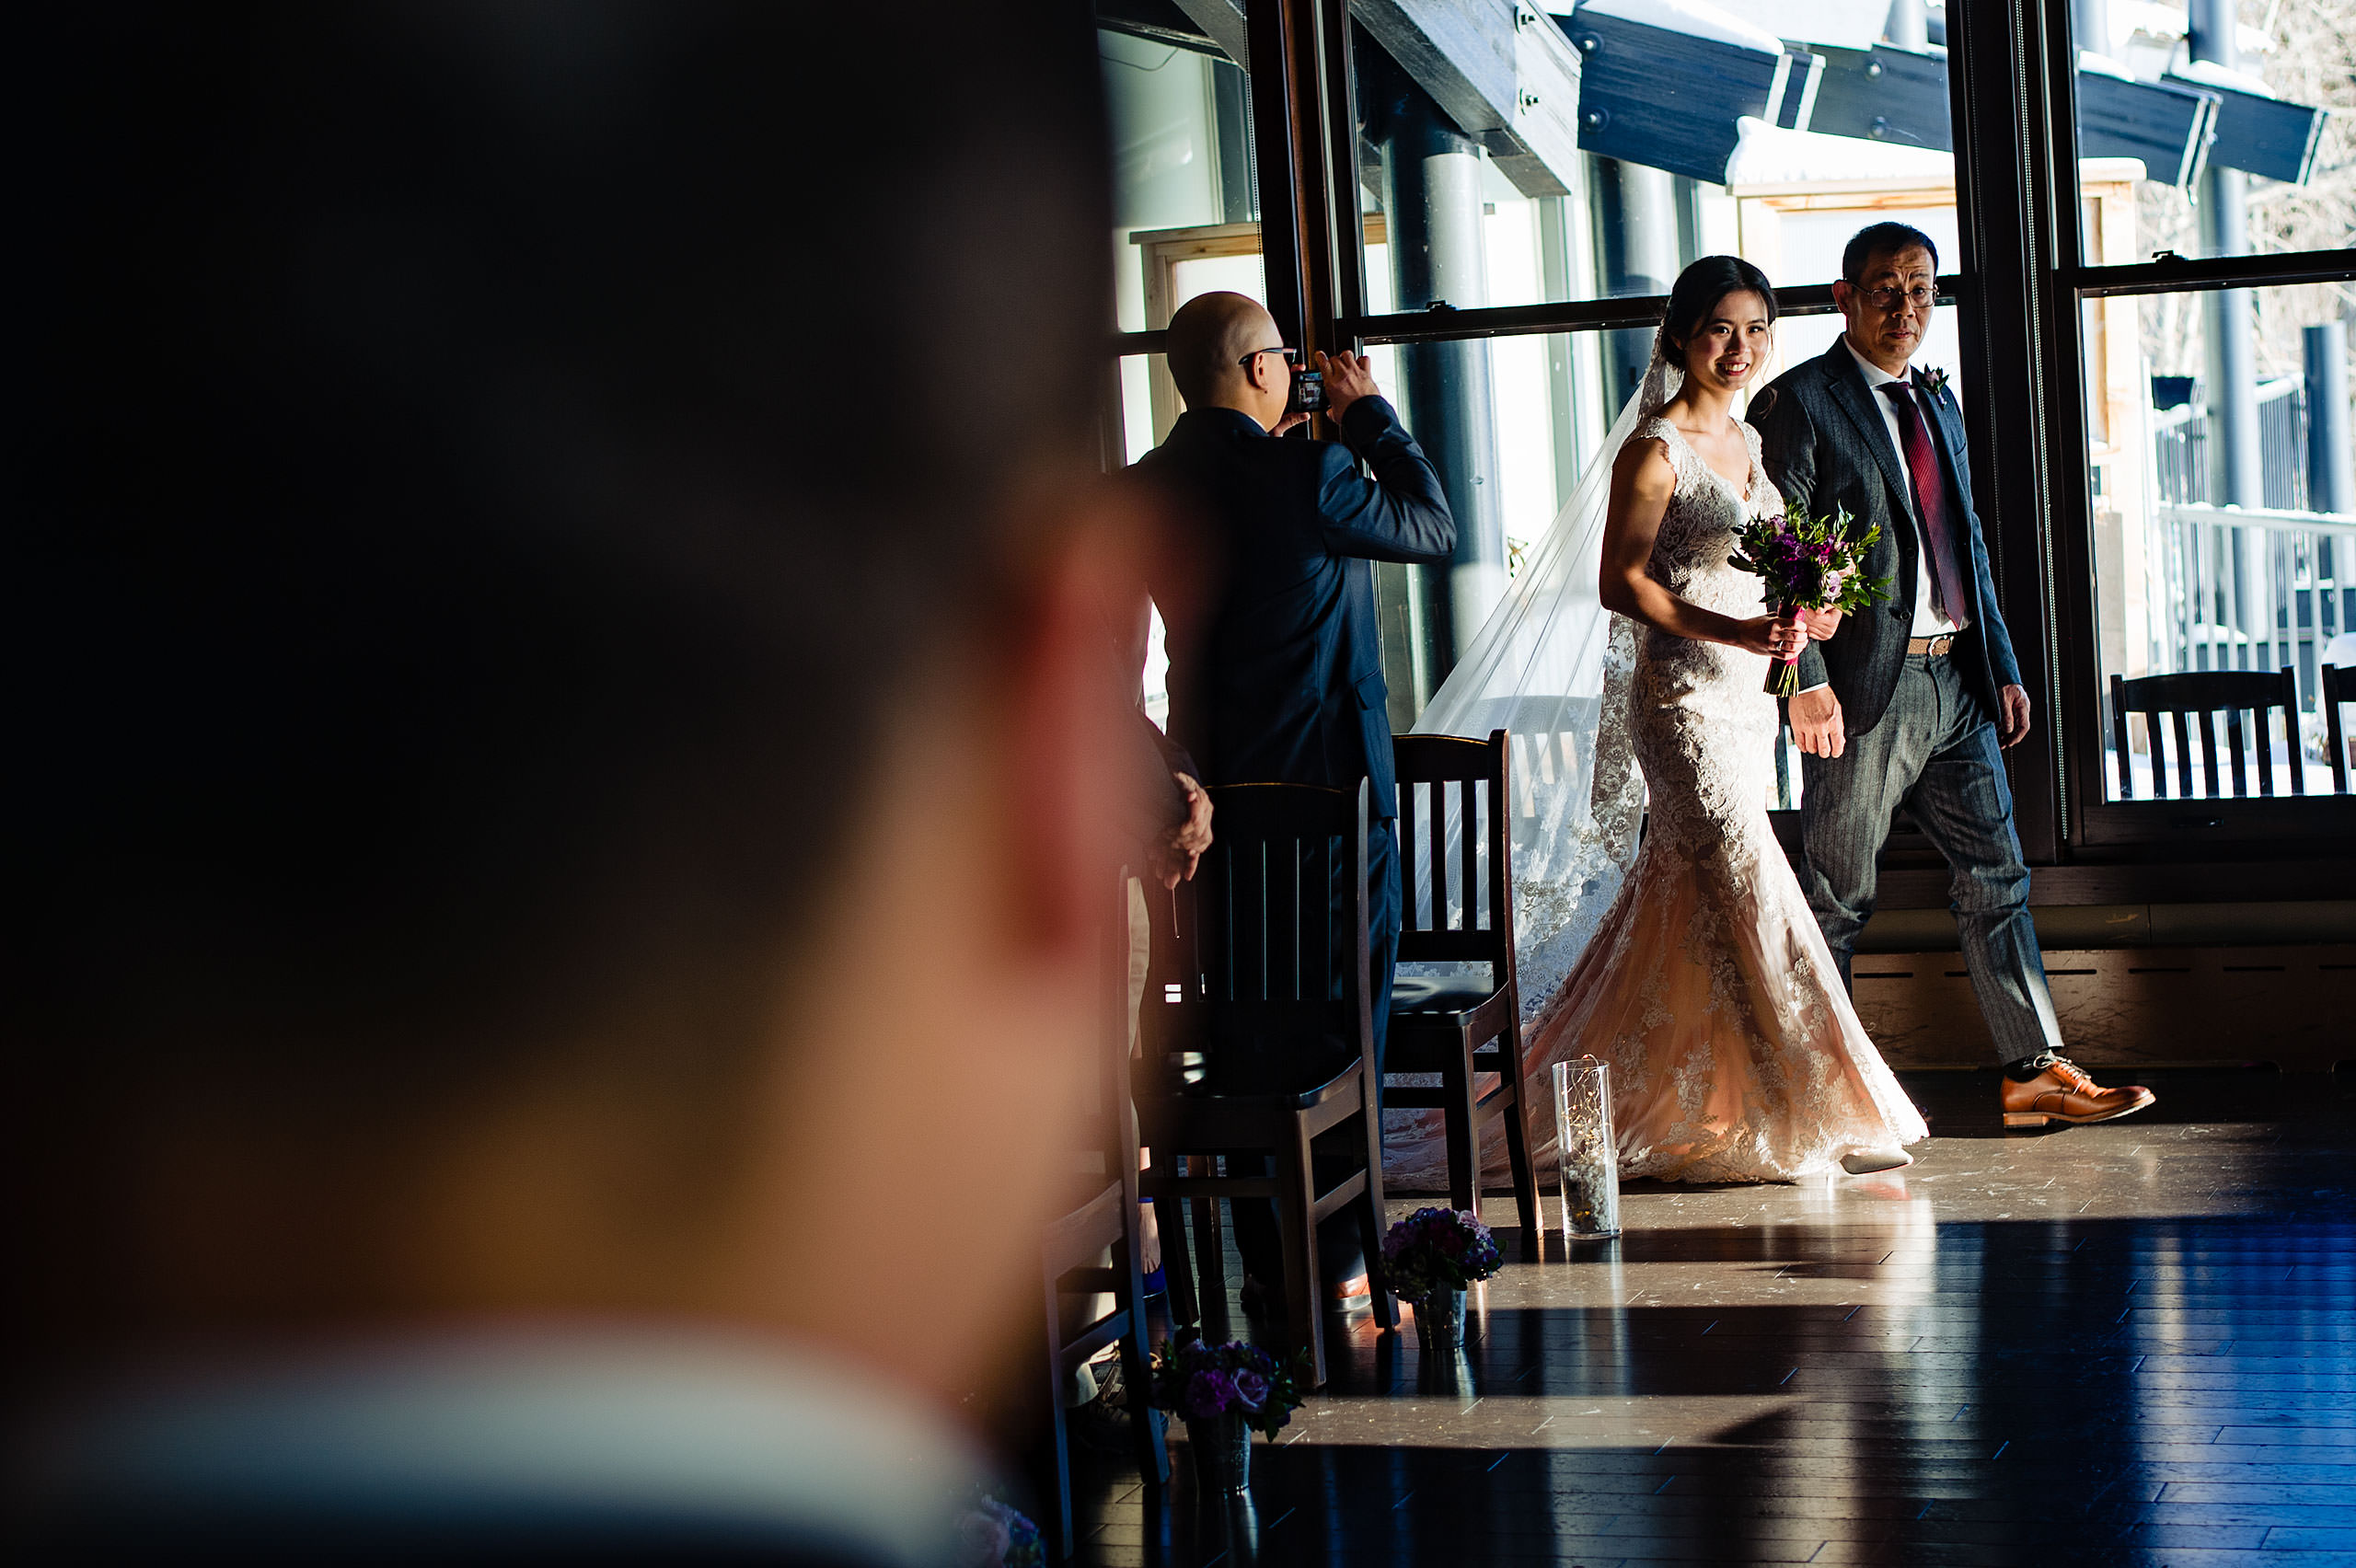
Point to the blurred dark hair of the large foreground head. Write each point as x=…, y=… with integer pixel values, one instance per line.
x=489, y=484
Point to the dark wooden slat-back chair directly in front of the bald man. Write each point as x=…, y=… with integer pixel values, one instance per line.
x=1248, y=1051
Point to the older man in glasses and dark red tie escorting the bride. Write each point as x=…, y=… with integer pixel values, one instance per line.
x=1914, y=703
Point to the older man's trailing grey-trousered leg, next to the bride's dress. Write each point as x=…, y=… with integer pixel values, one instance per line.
x=1846, y=809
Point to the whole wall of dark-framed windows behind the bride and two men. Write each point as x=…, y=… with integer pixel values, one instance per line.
x=2145, y=218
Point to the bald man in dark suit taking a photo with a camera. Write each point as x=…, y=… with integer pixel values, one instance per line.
x=1276, y=656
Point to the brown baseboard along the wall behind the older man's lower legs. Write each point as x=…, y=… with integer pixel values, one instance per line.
x=2131, y=1006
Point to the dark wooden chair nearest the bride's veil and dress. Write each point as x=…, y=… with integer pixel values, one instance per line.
x=1462, y=1028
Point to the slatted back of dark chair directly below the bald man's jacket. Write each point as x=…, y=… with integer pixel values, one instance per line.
x=1276, y=912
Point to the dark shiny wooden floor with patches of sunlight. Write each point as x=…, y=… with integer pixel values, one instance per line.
x=2093, y=1346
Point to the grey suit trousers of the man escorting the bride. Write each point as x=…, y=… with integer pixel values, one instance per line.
x=1935, y=752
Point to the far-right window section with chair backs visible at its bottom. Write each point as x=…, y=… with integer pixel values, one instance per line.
x=2218, y=510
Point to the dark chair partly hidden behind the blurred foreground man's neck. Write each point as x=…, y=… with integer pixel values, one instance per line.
x=1073, y=1273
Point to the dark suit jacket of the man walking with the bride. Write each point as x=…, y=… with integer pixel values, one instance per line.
x=1827, y=446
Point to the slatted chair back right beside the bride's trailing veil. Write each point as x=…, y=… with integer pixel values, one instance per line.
x=1457, y=816
